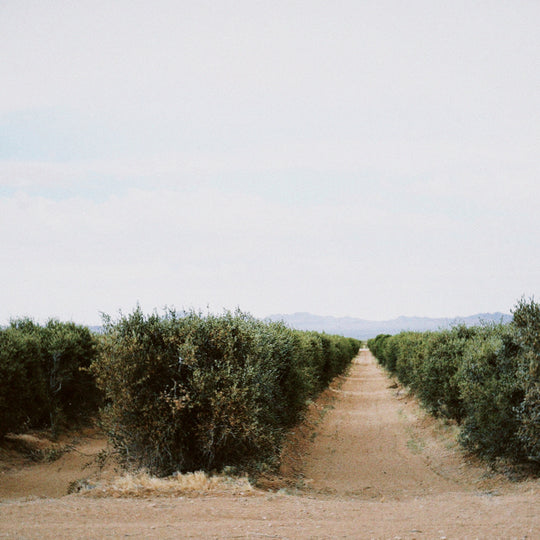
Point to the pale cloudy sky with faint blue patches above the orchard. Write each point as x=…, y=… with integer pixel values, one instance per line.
x=349, y=158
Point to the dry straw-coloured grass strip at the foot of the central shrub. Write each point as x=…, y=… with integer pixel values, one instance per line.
x=143, y=485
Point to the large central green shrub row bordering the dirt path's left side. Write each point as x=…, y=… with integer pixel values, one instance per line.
x=188, y=392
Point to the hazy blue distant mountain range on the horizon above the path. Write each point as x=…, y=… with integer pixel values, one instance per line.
x=363, y=329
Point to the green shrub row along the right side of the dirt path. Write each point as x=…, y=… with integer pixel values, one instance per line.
x=487, y=378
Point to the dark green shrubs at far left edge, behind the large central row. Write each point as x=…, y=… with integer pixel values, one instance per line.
x=43, y=381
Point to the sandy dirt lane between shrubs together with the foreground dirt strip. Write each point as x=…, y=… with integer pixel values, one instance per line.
x=373, y=466
